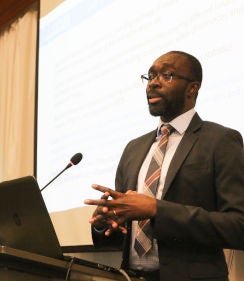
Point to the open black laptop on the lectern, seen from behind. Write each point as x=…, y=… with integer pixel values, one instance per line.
x=25, y=223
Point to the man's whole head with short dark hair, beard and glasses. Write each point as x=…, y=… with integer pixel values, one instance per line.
x=173, y=83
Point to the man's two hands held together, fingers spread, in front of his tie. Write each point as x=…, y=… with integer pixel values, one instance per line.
x=113, y=213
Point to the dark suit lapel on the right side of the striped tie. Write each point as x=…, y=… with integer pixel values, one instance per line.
x=182, y=151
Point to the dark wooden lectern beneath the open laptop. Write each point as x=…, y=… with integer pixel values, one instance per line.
x=19, y=265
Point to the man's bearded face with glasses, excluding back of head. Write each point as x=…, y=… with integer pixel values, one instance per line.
x=167, y=95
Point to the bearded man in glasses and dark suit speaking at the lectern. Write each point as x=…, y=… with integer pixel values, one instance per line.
x=198, y=207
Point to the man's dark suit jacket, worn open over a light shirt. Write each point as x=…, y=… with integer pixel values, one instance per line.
x=201, y=211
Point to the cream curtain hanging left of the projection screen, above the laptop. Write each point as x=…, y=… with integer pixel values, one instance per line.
x=17, y=95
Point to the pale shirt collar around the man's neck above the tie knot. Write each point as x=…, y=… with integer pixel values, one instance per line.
x=180, y=123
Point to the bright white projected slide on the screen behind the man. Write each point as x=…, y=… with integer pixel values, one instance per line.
x=90, y=96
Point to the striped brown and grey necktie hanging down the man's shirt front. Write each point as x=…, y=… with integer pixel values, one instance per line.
x=143, y=239
